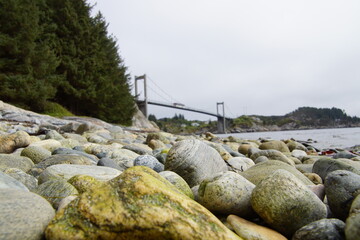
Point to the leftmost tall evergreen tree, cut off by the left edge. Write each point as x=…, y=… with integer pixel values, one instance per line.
x=27, y=63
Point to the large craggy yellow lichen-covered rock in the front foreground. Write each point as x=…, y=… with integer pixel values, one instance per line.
x=139, y=204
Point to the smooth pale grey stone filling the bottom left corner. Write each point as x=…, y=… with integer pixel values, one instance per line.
x=24, y=215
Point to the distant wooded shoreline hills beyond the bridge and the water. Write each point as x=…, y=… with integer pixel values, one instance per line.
x=301, y=118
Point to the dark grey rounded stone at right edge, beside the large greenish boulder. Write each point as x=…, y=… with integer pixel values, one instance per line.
x=341, y=188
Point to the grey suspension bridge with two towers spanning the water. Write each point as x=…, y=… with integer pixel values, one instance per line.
x=145, y=101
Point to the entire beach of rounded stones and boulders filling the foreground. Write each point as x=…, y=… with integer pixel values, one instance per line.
x=82, y=178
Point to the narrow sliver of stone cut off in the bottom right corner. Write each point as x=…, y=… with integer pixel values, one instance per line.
x=352, y=228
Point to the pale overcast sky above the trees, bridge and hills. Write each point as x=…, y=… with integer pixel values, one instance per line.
x=258, y=56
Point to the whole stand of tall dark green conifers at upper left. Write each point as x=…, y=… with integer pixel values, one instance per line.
x=55, y=51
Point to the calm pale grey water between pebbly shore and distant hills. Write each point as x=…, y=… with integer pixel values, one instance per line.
x=325, y=138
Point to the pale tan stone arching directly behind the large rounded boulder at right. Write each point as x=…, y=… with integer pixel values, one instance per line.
x=258, y=172
